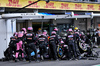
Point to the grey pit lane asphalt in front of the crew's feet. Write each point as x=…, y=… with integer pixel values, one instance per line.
x=54, y=63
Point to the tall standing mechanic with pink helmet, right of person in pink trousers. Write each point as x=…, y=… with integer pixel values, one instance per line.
x=30, y=46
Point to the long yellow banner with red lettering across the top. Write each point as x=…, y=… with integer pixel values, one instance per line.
x=51, y=5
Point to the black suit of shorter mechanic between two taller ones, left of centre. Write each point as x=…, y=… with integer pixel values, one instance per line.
x=42, y=45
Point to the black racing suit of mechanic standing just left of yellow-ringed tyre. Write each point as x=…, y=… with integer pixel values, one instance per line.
x=53, y=40
